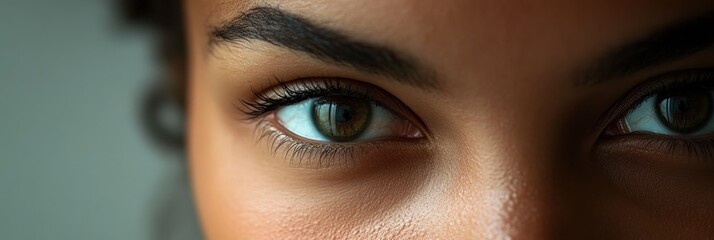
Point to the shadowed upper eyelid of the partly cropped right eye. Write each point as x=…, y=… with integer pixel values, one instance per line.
x=653, y=86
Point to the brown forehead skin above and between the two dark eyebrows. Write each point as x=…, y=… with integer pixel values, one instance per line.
x=466, y=34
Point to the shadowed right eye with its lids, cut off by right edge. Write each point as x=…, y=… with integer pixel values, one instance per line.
x=669, y=117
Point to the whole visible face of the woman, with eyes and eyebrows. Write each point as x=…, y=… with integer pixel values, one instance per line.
x=452, y=119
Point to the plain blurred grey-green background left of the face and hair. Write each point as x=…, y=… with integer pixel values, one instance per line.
x=75, y=162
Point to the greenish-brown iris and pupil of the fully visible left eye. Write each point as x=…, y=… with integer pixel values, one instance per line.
x=341, y=118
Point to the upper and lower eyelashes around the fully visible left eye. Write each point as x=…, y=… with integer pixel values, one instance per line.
x=320, y=155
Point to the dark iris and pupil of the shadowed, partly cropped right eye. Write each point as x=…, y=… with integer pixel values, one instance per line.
x=685, y=110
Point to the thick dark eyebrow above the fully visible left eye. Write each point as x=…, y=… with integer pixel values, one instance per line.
x=287, y=30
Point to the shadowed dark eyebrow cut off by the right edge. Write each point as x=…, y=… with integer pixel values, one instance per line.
x=671, y=43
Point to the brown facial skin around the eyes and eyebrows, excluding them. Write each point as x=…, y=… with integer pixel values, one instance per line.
x=513, y=148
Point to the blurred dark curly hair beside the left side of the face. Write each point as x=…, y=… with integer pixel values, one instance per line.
x=174, y=216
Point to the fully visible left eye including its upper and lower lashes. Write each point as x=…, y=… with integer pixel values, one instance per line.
x=325, y=122
